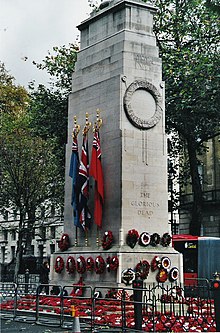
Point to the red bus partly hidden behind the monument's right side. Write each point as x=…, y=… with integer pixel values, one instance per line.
x=201, y=256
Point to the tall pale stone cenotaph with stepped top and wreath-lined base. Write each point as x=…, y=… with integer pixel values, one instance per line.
x=119, y=72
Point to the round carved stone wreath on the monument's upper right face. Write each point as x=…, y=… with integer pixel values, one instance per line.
x=136, y=120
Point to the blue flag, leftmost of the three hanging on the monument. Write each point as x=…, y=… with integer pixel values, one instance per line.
x=73, y=173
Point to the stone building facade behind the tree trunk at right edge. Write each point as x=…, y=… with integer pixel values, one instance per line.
x=209, y=170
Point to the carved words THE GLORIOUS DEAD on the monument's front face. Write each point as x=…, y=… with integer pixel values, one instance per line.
x=144, y=205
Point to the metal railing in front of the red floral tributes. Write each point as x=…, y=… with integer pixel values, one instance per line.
x=105, y=308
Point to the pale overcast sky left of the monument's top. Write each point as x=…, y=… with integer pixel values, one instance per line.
x=30, y=28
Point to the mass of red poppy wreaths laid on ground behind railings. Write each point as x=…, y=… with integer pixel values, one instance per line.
x=198, y=316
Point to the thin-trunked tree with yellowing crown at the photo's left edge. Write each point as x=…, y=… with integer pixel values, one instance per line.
x=29, y=176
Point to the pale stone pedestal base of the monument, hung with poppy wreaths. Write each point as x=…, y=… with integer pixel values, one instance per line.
x=127, y=259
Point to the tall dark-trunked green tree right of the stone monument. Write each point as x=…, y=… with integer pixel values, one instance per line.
x=187, y=33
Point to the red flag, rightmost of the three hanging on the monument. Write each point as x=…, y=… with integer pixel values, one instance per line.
x=97, y=173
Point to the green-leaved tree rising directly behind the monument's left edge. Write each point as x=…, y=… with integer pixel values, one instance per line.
x=49, y=106
